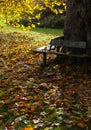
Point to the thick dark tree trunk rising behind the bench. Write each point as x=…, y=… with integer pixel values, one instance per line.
x=78, y=21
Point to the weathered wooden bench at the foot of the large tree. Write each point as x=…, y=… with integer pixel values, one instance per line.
x=66, y=48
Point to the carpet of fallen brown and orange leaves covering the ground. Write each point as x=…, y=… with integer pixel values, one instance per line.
x=35, y=98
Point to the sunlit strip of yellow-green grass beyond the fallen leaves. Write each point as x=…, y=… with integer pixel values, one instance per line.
x=47, y=33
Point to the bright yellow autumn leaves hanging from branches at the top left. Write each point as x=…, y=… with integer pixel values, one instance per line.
x=14, y=10
